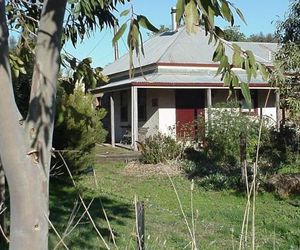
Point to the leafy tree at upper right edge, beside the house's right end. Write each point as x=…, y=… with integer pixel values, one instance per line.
x=286, y=74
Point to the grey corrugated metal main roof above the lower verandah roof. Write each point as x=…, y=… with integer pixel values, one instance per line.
x=183, y=48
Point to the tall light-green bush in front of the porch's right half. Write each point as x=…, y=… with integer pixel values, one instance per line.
x=223, y=137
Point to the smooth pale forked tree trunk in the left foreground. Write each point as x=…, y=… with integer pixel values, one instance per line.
x=25, y=151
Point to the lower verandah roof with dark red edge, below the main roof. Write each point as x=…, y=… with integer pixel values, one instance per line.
x=183, y=77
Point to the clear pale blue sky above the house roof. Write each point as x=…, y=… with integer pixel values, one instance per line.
x=260, y=15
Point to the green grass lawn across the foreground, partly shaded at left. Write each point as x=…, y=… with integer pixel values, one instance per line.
x=218, y=225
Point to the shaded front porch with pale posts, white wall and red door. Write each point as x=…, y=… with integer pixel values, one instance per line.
x=137, y=112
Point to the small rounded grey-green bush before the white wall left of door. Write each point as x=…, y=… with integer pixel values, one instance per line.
x=160, y=148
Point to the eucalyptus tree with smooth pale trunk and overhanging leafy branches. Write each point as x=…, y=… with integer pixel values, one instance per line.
x=26, y=142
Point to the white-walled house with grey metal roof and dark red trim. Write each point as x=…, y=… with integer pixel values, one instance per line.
x=174, y=83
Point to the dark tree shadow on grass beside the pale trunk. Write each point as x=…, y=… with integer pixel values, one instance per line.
x=63, y=198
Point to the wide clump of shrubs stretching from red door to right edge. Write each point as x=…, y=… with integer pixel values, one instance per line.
x=219, y=159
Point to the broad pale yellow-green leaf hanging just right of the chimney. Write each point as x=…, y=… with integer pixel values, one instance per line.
x=191, y=17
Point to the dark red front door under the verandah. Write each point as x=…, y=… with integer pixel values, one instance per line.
x=189, y=106
